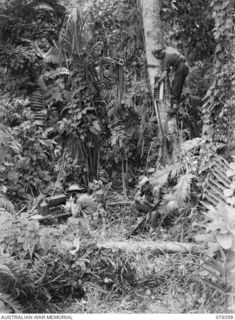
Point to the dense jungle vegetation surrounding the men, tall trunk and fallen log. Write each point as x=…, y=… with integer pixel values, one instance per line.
x=75, y=108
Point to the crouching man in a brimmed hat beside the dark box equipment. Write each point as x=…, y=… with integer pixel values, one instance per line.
x=82, y=204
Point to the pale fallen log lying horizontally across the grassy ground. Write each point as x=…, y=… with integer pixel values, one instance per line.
x=169, y=247
